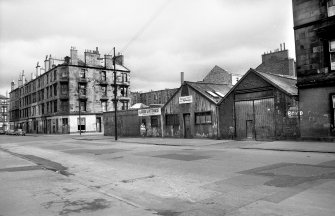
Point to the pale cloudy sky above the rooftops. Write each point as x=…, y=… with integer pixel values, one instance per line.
x=159, y=38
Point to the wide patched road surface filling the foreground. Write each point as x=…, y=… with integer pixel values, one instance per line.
x=95, y=175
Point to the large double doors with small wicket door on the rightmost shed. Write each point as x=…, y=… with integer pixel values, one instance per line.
x=255, y=119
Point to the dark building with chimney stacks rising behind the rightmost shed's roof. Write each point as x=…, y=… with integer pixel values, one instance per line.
x=277, y=62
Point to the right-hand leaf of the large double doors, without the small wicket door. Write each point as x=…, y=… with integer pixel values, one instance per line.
x=264, y=121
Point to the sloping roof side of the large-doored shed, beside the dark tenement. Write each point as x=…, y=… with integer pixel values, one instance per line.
x=285, y=83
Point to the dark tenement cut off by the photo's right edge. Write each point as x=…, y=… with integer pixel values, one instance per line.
x=314, y=29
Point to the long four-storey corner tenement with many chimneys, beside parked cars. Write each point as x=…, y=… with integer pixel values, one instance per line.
x=69, y=95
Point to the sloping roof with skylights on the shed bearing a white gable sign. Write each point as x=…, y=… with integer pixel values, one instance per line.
x=213, y=92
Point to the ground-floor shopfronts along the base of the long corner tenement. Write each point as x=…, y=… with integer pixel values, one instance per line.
x=63, y=124
